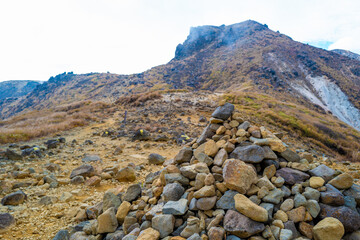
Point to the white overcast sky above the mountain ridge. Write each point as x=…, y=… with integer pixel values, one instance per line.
x=41, y=38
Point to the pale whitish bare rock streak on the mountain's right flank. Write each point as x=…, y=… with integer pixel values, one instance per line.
x=331, y=98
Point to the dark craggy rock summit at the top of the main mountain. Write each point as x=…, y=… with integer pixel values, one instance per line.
x=204, y=36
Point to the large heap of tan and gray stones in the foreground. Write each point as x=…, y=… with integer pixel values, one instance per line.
x=236, y=181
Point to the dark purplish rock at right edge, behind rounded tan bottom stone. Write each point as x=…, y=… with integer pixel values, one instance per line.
x=348, y=217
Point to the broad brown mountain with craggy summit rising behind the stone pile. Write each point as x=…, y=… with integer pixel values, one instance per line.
x=246, y=56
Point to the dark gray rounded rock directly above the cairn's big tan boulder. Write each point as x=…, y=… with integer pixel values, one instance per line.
x=249, y=154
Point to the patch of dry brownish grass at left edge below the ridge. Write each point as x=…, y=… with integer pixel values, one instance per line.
x=42, y=123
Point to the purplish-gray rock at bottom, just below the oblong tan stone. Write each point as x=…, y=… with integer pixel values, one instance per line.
x=239, y=225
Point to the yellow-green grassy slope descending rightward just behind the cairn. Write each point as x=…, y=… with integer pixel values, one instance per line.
x=305, y=124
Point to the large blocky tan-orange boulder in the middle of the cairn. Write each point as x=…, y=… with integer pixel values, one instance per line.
x=238, y=176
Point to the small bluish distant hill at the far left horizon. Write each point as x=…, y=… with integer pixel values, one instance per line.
x=16, y=88
